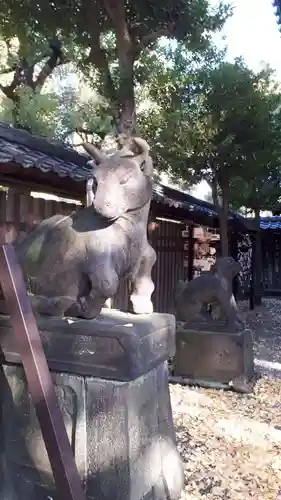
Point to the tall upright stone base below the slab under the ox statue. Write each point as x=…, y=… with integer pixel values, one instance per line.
x=121, y=433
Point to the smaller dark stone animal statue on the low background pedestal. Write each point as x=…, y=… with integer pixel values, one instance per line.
x=214, y=286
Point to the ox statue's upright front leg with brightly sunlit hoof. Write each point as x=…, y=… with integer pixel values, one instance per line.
x=142, y=284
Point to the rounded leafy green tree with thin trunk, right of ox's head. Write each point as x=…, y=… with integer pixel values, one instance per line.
x=217, y=121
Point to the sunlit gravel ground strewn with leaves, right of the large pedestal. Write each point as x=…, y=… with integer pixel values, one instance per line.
x=231, y=443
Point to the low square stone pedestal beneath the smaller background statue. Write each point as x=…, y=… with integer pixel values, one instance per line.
x=215, y=358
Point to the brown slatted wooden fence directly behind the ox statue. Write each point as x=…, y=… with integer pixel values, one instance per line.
x=20, y=213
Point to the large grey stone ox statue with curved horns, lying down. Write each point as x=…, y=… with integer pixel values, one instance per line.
x=73, y=264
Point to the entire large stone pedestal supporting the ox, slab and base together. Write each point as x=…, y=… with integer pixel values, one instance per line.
x=111, y=379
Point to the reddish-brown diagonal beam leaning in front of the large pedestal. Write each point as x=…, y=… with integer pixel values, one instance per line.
x=38, y=377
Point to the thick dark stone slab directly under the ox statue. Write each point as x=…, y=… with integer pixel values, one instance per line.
x=116, y=345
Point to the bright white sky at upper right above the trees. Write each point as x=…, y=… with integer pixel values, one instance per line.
x=252, y=32
